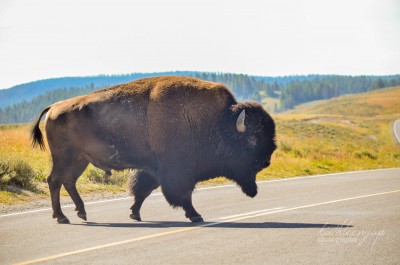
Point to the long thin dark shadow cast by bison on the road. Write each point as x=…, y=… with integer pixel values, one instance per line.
x=165, y=224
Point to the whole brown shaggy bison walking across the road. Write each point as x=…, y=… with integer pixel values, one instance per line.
x=175, y=131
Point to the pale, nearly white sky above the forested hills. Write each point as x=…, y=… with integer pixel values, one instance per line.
x=45, y=38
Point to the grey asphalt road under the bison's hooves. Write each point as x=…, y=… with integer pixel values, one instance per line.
x=349, y=218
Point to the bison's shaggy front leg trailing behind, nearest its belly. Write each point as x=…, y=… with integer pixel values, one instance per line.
x=141, y=184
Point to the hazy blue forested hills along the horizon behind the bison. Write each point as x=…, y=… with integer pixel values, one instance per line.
x=290, y=90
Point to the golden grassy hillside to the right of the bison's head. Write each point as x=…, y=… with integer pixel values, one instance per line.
x=348, y=133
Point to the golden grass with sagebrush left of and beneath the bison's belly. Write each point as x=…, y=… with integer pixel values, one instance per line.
x=19, y=164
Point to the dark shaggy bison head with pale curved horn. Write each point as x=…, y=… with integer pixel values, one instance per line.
x=251, y=142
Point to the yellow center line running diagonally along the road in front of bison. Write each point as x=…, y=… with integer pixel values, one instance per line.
x=177, y=231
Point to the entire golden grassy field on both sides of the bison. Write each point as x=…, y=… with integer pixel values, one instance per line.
x=343, y=134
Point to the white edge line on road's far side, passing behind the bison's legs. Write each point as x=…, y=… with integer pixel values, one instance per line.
x=205, y=188
